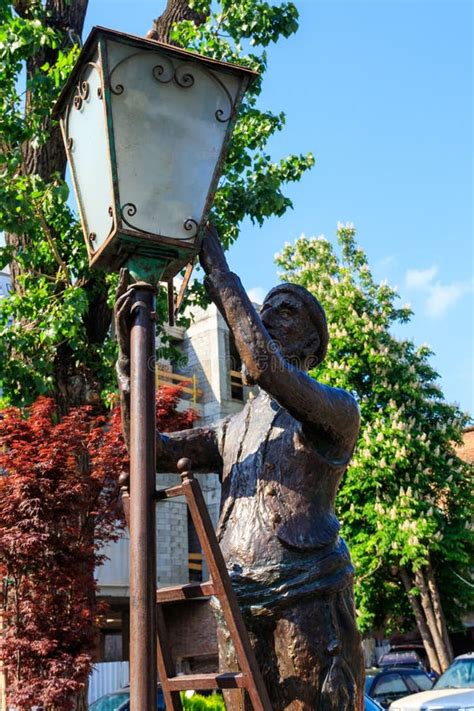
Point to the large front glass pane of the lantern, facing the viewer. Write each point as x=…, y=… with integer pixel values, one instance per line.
x=170, y=121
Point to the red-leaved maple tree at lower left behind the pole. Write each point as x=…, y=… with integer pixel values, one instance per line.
x=59, y=504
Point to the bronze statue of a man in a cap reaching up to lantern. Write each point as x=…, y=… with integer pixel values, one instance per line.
x=281, y=460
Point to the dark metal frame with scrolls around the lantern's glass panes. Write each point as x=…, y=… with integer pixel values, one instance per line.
x=129, y=240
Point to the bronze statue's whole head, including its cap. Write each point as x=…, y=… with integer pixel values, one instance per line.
x=296, y=321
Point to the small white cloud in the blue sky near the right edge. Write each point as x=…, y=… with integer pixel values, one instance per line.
x=439, y=298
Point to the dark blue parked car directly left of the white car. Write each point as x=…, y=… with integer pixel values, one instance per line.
x=388, y=684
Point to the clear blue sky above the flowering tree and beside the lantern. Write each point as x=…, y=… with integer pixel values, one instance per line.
x=381, y=92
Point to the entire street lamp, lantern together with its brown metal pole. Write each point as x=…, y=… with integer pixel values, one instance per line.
x=145, y=127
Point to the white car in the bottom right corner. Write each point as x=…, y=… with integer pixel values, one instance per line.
x=454, y=690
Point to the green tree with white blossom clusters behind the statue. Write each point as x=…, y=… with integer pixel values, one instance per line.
x=405, y=503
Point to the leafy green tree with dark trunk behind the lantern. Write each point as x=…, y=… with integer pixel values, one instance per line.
x=54, y=326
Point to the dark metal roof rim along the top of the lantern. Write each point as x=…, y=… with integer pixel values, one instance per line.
x=143, y=43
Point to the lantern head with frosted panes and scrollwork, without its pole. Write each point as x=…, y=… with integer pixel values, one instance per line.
x=146, y=126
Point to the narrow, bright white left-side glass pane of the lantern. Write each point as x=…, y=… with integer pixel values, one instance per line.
x=89, y=156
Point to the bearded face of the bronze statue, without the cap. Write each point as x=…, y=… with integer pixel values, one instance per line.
x=287, y=321
